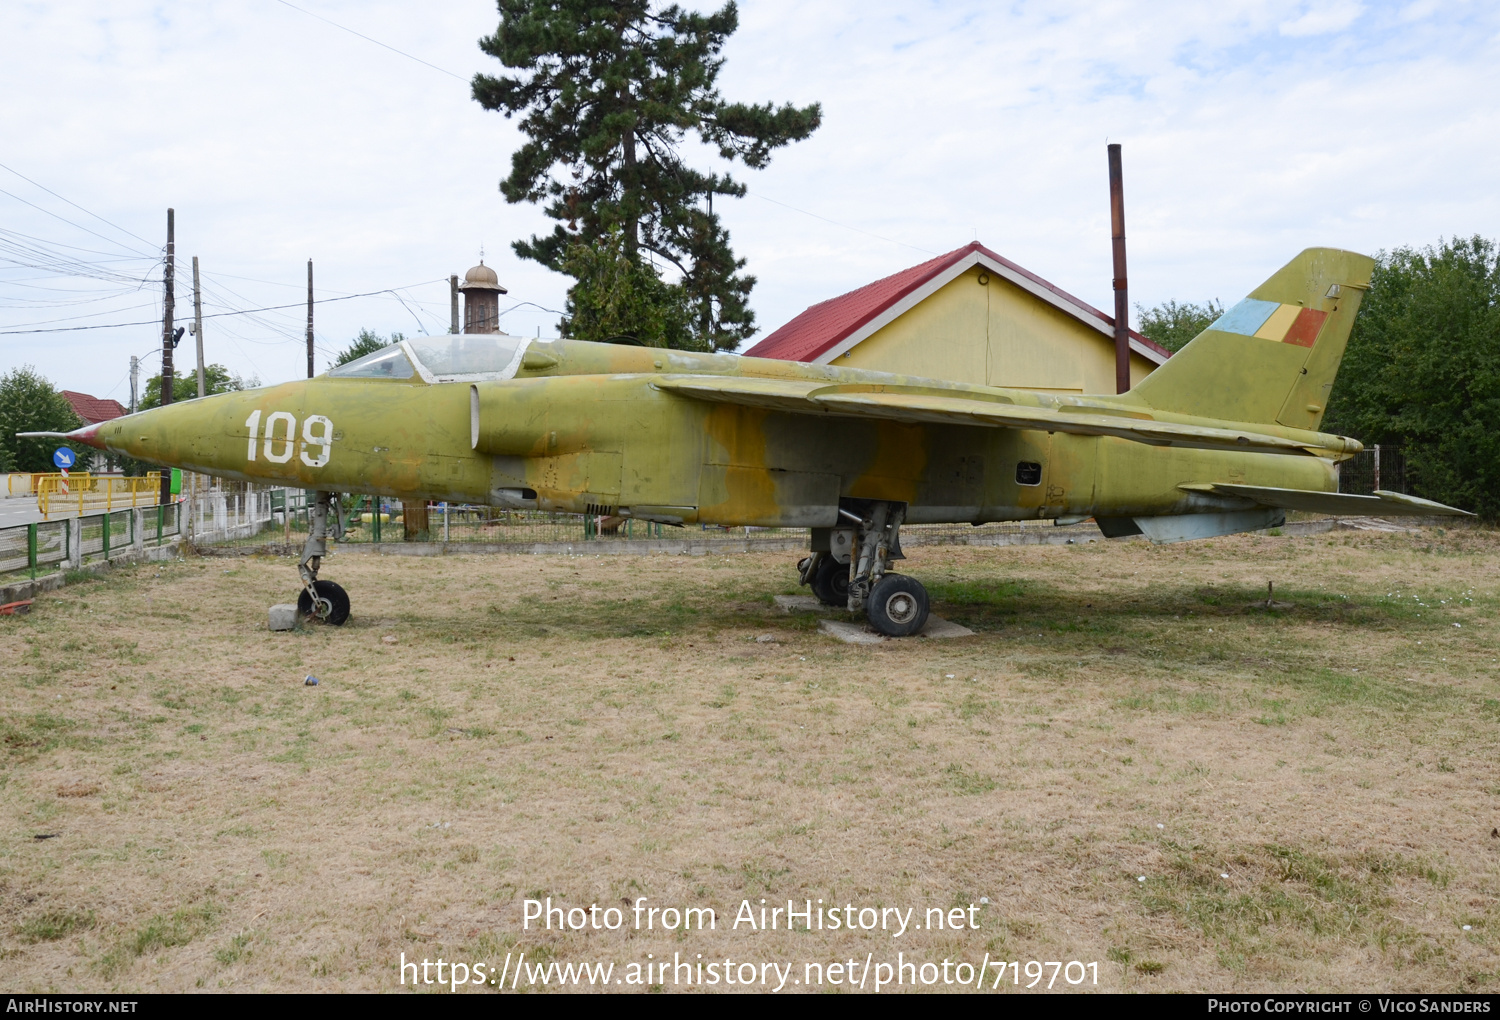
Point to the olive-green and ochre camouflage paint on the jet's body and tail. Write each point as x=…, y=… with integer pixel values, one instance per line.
x=589, y=427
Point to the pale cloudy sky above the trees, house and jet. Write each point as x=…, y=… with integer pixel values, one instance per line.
x=1250, y=133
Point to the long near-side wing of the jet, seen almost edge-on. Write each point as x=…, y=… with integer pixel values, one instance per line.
x=811, y=397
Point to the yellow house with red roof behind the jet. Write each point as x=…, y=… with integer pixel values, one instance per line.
x=968, y=317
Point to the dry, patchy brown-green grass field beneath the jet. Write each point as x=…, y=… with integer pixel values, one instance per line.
x=1310, y=791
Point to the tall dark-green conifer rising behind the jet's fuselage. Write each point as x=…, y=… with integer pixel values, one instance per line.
x=607, y=94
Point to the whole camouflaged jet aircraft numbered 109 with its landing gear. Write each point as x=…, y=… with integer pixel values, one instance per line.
x=1222, y=439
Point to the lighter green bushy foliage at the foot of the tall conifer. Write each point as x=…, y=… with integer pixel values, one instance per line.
x=619, y=299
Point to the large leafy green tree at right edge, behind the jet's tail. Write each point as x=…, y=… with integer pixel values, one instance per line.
x=1423, y=370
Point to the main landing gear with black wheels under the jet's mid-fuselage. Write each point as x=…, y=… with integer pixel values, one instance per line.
x=851, y=568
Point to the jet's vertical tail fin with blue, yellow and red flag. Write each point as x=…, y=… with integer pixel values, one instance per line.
x=1273, y=358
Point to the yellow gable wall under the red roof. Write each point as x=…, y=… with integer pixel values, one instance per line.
x=994, y=335
